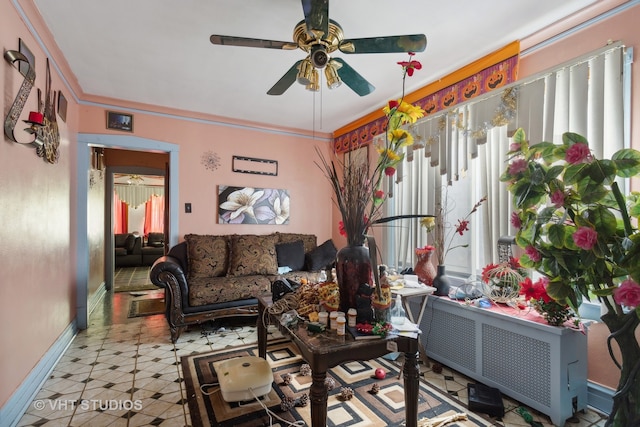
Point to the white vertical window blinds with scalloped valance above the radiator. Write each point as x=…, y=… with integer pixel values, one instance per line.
x=584, y=96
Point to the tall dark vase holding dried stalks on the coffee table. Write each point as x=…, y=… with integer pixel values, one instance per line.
x=353, y=268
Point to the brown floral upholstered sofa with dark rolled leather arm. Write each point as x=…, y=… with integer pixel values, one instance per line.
x=206, y=277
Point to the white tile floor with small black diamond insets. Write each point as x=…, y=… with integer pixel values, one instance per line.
x=126, y=372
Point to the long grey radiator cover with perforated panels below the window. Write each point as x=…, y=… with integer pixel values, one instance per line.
x=542, y=366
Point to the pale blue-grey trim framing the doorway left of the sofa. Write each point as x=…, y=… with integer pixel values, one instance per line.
x=85, y=142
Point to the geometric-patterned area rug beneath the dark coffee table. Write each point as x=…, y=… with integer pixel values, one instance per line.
x=385, y=408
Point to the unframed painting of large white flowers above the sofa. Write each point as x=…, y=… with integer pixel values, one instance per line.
x=248, y=205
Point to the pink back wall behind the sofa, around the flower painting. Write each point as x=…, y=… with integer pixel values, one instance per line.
x=308, y=190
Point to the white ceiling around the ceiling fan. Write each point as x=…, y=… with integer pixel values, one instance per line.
x=158, y=51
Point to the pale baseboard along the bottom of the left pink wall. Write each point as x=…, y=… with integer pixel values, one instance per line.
x=18, y=403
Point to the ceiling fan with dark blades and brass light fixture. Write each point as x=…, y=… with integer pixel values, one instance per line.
x=319, y=37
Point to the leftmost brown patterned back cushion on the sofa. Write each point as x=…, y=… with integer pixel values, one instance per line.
x=208, y=256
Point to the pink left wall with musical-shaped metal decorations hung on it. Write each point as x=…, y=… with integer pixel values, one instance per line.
x=37, y=210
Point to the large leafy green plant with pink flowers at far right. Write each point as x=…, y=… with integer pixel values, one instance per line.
x=580, y=231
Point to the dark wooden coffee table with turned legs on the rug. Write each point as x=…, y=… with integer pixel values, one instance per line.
x=327, y=349
